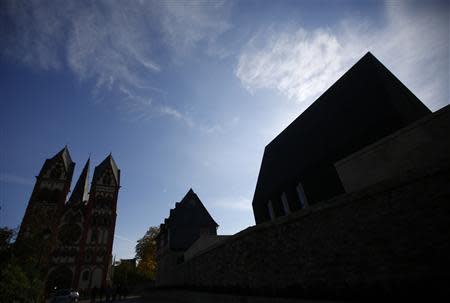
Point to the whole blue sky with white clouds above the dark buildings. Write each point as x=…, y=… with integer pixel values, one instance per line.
x=188, y=94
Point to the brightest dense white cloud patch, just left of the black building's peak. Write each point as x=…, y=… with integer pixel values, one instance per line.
x=299, y=64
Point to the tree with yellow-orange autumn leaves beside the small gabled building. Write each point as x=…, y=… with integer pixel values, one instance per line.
x=146, y=253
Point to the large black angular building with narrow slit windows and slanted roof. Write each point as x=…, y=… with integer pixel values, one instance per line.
x=298, y=168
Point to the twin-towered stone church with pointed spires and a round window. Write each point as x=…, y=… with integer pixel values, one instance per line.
x=75, y=235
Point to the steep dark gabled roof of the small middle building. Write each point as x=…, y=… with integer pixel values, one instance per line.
x=190, y=211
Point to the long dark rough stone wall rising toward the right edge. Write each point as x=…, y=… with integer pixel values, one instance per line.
x=392, y=238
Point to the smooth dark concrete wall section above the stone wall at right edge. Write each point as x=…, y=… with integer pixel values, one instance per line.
x=419, y=147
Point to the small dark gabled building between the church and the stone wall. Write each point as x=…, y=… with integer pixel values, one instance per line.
x=187, y=222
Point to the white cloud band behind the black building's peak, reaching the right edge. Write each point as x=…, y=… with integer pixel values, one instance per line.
x=301, y=64
